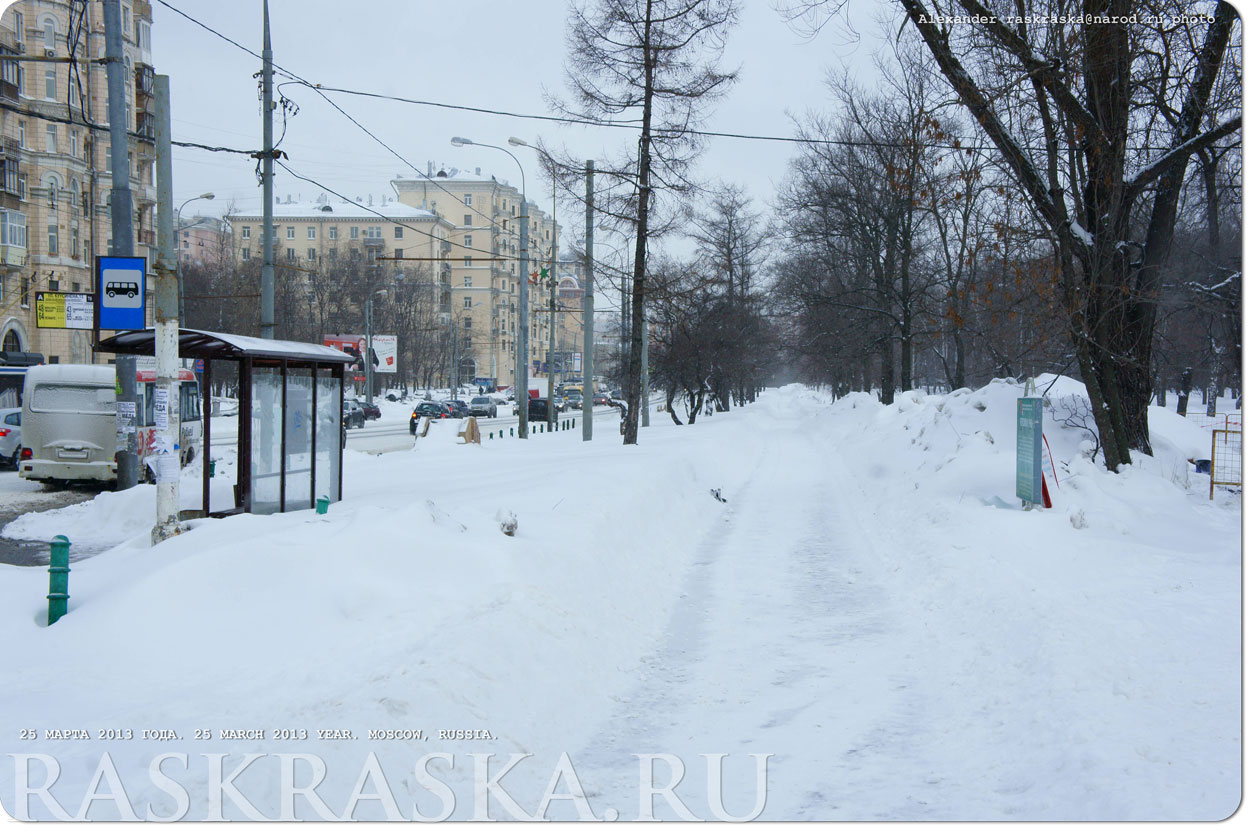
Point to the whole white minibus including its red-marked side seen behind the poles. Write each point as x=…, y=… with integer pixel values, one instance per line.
x=71, y=410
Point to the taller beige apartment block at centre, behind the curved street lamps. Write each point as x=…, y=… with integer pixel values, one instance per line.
x=484, y=214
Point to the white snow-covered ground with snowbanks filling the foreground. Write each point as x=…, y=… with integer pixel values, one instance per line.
x=866, y=608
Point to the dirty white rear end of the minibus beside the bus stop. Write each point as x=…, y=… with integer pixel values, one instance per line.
x=69, y=423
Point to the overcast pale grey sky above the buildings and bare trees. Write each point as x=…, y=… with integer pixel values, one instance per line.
x=461, y=52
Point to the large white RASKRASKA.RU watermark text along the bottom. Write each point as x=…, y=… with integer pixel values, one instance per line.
x=296, y=778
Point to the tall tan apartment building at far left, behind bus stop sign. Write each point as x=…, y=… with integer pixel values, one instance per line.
x=56, y=168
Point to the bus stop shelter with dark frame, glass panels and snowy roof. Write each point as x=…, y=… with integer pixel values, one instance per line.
x=291, y=417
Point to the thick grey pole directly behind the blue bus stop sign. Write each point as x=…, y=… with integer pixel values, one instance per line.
x=122, y=215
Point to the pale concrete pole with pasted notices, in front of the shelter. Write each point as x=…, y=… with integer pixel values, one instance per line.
x=168, y=297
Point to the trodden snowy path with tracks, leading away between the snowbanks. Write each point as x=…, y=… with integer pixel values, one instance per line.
x=784, y=640
